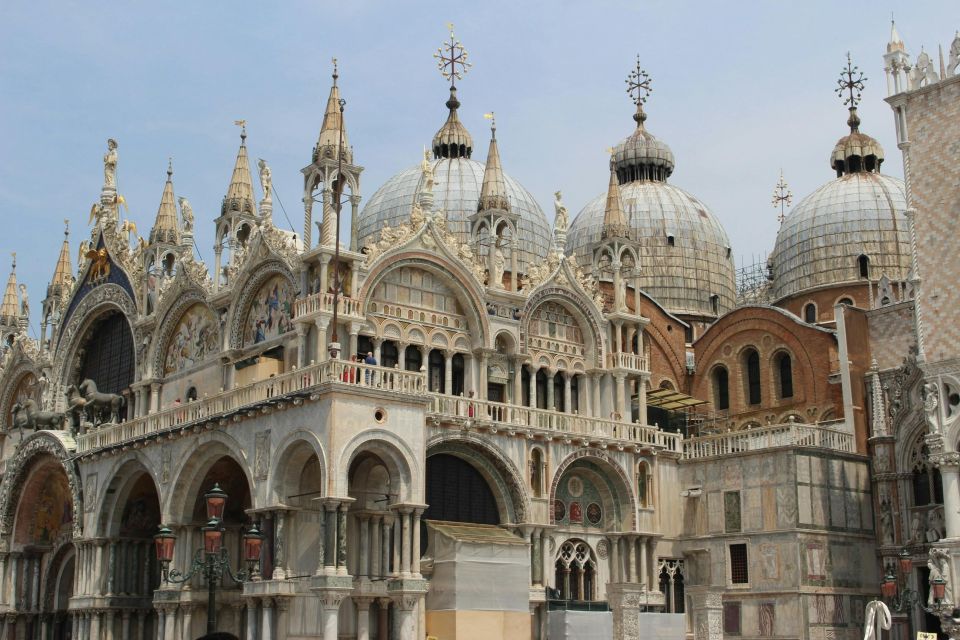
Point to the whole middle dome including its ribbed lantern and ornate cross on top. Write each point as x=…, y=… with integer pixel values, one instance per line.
x=684, y=252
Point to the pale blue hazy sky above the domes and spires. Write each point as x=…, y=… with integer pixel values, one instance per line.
x=741, y=90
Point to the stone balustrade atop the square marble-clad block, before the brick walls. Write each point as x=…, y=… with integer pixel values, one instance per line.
x=822, y=435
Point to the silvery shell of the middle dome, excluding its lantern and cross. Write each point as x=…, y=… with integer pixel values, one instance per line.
x=682, y=277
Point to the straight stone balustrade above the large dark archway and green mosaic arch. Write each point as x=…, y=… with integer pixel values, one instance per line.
x=496, y=415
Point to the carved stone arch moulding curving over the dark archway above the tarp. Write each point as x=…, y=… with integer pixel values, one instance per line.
x=502, y=476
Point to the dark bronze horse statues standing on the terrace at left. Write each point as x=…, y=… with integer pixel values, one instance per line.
x=85, y=404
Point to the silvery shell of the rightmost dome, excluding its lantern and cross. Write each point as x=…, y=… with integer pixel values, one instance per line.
x=820, y=241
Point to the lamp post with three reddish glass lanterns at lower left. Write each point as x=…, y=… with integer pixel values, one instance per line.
x=211, y=561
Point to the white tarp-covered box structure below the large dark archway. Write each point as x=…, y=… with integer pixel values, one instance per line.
x=477, y=568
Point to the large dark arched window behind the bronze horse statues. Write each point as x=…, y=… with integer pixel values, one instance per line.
x=108, y=355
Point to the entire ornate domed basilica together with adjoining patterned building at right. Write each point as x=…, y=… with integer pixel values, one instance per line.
x=434, y=413
